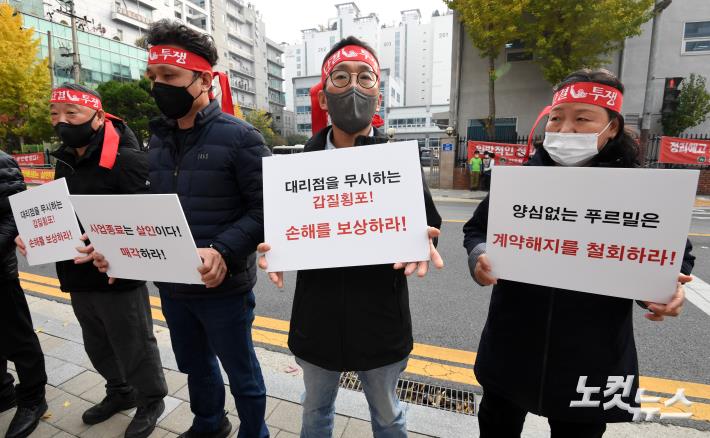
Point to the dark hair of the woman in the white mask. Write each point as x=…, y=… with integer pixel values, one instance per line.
x=622, y=148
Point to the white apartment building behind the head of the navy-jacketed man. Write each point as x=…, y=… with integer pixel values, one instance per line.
x=252, y=60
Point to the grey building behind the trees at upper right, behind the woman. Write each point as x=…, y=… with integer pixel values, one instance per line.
x=683, y=48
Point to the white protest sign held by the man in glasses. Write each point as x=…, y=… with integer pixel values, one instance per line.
x=346, y=207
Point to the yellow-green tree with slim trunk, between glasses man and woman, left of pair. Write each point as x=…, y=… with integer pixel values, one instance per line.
x=491, y=25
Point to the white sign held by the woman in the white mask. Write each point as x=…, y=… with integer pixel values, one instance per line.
x=617, y=232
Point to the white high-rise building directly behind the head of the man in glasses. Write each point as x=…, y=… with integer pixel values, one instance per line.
x=416, y=54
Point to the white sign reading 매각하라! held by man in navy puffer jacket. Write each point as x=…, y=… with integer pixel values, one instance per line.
x=143, y=237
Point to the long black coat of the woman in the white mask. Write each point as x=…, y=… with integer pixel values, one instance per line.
x=539, y=340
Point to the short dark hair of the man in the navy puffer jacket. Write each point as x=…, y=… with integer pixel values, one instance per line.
x=177, y=34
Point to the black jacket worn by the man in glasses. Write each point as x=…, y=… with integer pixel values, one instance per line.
x=353, y=318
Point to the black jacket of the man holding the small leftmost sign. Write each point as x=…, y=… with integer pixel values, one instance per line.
x=84, y=176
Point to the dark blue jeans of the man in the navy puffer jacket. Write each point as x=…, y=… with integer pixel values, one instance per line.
x=205, y=329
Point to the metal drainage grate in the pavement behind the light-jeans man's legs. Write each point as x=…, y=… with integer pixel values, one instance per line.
x=422, y=394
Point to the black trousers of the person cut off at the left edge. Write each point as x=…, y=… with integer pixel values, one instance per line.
x=19, y=344
